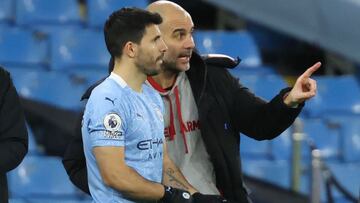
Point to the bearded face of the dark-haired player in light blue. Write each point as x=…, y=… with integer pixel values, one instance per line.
x=151, y=51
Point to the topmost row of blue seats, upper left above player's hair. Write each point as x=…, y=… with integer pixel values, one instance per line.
x=66, y=12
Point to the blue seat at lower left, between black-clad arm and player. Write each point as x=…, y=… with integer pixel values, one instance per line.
x=40, y=177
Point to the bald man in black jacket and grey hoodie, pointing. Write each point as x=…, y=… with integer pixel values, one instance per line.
x=206, y=109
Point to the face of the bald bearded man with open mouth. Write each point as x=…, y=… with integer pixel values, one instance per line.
x=177, y=30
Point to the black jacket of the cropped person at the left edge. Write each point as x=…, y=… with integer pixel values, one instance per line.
x=13, y=133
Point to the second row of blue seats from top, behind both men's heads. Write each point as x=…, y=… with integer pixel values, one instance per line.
x=64, y=48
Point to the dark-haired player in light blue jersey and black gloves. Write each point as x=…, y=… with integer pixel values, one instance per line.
x=123, y=128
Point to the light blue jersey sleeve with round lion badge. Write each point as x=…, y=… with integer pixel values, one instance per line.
x=107, y=121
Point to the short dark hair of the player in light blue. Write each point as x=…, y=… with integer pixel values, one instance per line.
x=127, y=24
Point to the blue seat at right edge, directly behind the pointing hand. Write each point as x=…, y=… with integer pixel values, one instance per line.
x=335, y=94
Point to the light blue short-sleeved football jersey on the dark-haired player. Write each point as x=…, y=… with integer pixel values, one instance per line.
x=115, y=115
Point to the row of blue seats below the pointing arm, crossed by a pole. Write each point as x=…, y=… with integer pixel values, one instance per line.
x=340, y=144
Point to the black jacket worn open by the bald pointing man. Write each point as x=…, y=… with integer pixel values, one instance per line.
x=221, y=102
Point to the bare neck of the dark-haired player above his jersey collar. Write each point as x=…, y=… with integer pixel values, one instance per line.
x=133, y=77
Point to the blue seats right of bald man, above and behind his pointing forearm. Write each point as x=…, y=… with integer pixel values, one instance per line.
x=336, y=94
